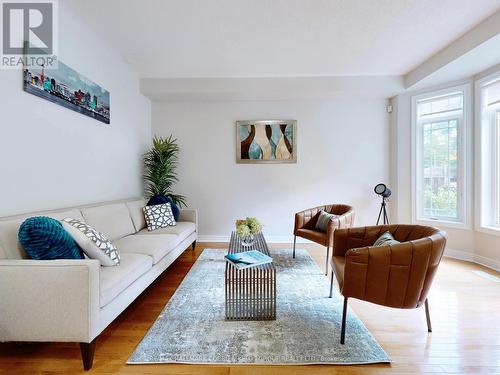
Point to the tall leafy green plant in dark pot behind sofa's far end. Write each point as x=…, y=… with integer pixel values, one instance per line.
x=160, y=174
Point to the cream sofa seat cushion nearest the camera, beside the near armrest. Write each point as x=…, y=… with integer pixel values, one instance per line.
x=114, y=280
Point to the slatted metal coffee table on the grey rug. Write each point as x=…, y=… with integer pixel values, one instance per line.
x=250, y=293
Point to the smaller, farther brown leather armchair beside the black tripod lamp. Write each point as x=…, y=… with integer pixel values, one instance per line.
x=305, y=224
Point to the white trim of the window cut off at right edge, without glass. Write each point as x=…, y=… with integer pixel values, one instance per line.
x=478, y=212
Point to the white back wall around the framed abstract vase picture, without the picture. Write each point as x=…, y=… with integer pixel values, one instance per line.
x=342, y=153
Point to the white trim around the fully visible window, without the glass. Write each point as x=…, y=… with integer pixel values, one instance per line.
x=465, y=165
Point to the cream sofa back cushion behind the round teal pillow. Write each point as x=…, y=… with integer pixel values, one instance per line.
x=9, y=229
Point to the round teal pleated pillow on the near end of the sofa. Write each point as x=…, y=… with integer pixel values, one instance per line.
x=44, y=238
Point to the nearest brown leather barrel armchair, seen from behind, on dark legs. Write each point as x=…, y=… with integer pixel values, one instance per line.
x=398, y=275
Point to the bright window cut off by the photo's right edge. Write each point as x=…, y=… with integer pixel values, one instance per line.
x=489, y=152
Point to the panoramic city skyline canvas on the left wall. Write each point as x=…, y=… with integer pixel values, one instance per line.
x=68, y=88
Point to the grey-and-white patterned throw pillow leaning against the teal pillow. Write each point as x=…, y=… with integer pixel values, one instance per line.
x=92, y=242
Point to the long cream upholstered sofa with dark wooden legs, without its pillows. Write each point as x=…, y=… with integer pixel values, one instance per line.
x=75, y=300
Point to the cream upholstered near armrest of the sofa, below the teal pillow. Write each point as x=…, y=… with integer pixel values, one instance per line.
x=49, y=300
